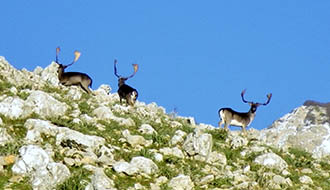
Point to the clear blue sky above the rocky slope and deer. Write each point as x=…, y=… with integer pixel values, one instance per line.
x=194, y=56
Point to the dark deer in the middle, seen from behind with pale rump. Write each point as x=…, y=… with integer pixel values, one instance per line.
x=125, y=91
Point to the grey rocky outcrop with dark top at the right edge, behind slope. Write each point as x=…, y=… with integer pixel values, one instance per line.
x=299, y=128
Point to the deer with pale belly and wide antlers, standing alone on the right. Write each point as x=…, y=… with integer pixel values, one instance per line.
x=241, y=119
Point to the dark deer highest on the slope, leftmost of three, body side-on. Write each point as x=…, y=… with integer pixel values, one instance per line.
x=73, y=78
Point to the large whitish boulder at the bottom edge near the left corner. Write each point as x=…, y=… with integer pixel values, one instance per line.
x=45, y=173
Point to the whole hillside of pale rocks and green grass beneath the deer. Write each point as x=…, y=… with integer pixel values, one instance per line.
x=56, y=137
